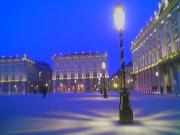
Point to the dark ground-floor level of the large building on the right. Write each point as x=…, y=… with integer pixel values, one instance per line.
x=165, y=75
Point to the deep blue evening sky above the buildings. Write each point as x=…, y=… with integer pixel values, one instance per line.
x=41, y=28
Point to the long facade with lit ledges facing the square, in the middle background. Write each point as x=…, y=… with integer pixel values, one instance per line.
x=78, y=72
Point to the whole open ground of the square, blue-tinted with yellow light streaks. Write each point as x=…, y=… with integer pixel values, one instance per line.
x=87, y=114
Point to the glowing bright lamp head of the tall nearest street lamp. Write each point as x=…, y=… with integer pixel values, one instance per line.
x=119, y=18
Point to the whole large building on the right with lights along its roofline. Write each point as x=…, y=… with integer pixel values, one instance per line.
x=156, y=50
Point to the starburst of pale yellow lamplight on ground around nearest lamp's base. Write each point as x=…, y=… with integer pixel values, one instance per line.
x=88, y=124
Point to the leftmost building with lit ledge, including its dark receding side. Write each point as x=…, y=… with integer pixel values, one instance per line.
x=22, y=75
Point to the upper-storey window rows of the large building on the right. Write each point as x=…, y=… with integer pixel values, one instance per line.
x=164, y=39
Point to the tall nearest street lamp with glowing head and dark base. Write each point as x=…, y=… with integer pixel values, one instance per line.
x=125, y=111
